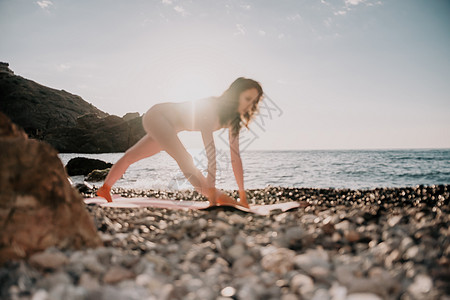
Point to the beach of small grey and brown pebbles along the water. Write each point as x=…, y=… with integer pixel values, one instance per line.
x=384, y=243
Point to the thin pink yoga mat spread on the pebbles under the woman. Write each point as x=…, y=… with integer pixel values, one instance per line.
x=138, y=202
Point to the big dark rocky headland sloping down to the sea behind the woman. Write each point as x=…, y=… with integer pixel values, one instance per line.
x=65, y=121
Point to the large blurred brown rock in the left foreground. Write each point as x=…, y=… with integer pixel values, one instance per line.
x=38, y=207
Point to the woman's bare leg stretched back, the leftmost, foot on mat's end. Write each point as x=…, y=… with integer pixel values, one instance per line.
x=145, y=147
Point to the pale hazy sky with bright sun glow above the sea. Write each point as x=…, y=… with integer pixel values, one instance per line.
x=341, y=74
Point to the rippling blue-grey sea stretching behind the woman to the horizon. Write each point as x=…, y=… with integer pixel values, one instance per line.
x=342, y=169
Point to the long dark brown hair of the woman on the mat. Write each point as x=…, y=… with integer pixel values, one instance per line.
x=228, y=104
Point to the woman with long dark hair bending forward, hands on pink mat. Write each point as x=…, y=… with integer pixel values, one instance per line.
x=233, y=109
